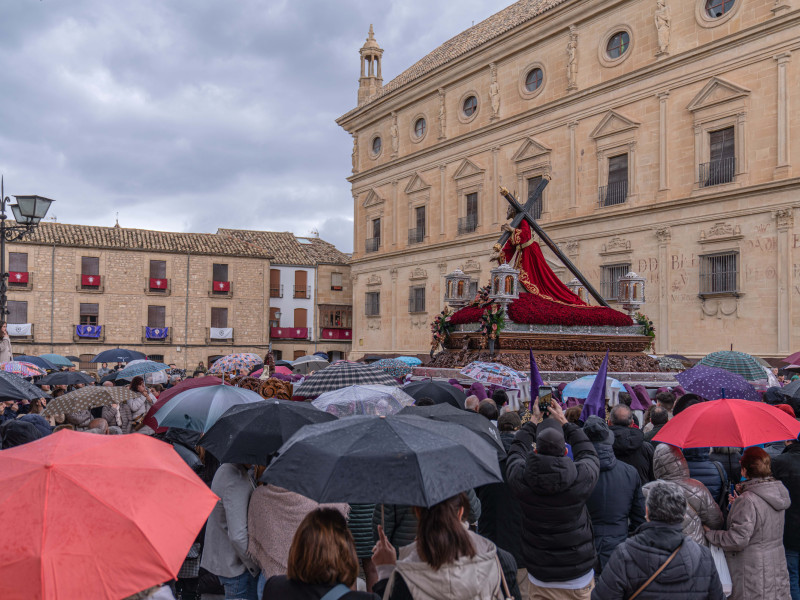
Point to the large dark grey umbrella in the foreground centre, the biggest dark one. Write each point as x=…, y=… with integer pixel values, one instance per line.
x=388, y=460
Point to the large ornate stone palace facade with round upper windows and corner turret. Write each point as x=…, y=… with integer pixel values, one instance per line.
x=667, y=129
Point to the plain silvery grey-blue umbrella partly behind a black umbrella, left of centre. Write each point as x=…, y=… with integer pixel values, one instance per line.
x=199, y=408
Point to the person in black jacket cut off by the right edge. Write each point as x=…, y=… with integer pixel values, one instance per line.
x=786, y=468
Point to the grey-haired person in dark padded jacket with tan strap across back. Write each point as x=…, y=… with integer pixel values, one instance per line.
x=658, y=562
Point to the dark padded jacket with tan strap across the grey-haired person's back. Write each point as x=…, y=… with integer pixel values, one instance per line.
x=691, y=575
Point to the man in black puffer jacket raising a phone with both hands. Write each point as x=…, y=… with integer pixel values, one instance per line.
x=557, y=545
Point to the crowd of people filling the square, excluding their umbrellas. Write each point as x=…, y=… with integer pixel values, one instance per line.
x=595, y=509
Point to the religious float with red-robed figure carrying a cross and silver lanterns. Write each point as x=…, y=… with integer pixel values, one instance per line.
x=525, y=306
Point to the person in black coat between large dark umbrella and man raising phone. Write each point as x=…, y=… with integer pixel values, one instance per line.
x=501, y=513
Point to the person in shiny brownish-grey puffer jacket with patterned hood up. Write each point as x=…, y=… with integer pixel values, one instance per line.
x=669, y=464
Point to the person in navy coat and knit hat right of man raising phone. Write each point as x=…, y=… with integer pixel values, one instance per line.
x=616, y=505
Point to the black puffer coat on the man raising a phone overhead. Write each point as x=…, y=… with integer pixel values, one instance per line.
x=557, y=542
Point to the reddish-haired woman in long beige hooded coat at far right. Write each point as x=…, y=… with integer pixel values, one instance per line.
x=753, y=541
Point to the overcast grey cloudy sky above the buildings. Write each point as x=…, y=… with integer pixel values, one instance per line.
x=196, y=114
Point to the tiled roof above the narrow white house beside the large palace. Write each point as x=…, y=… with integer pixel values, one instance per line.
x=285, y=248
